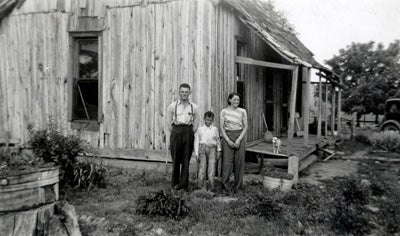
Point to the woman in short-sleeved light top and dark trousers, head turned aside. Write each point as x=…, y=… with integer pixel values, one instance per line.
x=233, y=128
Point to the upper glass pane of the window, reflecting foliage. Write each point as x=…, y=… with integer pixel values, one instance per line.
x=88, y=59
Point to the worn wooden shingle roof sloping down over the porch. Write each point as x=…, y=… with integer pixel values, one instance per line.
x=270, y=26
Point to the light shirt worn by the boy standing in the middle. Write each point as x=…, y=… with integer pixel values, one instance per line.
x=208, y=135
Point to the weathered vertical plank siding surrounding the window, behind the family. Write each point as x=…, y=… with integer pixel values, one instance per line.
x=147, y=52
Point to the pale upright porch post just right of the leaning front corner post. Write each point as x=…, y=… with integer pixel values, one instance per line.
x=306, y=102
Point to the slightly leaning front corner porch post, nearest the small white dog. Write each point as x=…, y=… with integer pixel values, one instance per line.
x=292, y=108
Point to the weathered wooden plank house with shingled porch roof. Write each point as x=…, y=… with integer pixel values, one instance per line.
x=107, y=69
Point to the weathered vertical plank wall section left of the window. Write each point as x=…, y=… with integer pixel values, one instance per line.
x=33, y=72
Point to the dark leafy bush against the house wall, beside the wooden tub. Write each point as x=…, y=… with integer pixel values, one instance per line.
x=51, y=146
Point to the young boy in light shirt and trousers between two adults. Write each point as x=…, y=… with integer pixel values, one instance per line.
x=207, y=147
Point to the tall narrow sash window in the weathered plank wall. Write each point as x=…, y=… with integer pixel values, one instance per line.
x=86, y=100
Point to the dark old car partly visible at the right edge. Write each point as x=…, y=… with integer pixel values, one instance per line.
x=391, y=121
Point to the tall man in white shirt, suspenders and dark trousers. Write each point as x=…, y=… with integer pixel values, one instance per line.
x=183, y=121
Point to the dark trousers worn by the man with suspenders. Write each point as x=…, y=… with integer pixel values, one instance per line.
x=182, y=142
